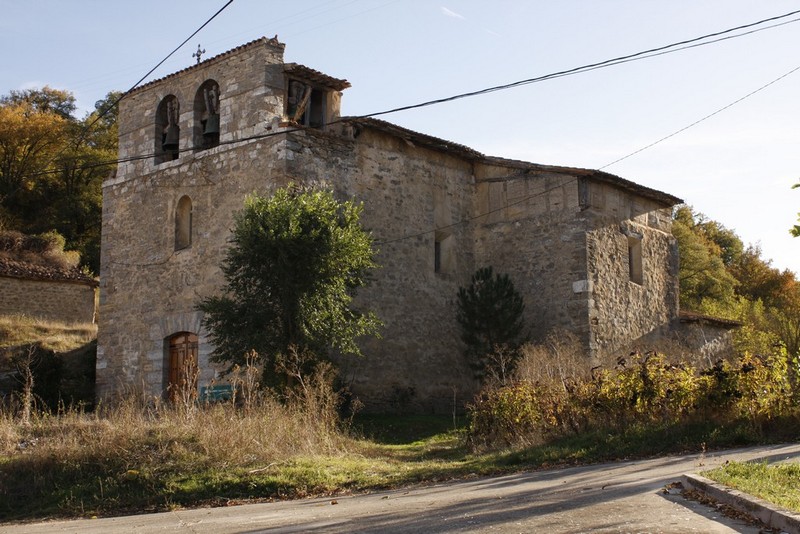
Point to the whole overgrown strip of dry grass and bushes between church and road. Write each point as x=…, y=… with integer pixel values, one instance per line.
x=147, y=455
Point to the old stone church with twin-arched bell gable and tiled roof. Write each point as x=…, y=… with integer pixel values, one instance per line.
x=590, y=252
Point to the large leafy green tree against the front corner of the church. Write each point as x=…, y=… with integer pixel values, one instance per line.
x=296, y=259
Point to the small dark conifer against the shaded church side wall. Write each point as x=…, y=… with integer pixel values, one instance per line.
x=490, y=313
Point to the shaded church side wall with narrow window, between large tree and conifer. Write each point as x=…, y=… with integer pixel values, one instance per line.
x=409, y=192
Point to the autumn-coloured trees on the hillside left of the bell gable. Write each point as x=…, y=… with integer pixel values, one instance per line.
x=52, y=165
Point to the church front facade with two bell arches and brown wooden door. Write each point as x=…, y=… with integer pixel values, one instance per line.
x=192, y=145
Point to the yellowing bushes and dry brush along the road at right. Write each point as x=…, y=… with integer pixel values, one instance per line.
x=553, y=397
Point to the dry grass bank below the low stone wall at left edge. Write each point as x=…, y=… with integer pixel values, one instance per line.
x=17, y=330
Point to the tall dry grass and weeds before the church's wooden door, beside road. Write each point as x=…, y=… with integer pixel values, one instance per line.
x=143, y=454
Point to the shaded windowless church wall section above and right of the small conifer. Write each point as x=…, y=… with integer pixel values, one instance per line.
x=535, y=233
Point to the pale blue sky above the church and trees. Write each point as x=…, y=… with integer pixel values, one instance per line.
x=737, y=166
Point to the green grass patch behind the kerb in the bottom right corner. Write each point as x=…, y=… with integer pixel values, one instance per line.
x=776, y=483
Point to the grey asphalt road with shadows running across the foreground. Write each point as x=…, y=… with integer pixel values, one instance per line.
x=615, y=497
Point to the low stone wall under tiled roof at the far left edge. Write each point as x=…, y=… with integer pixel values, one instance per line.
x=48, y=299
